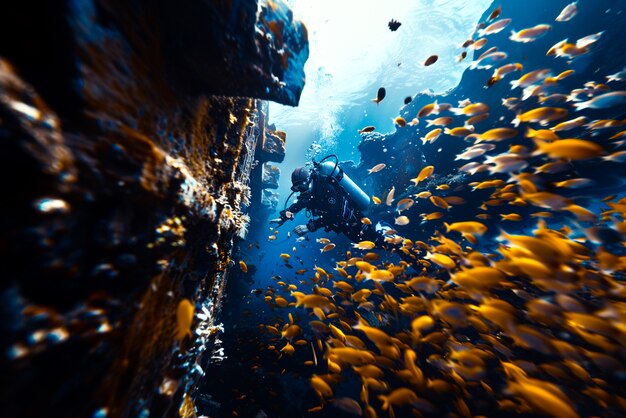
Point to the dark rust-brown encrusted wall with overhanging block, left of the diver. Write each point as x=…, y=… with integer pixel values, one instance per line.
x=129, y=132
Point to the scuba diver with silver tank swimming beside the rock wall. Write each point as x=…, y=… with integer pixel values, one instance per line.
x=332, y=201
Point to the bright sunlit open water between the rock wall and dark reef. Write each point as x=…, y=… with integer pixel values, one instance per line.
x=352, y=54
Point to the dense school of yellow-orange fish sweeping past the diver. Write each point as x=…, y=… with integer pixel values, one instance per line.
x=538, y=326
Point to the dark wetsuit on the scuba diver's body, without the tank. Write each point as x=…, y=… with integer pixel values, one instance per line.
x=331, y=209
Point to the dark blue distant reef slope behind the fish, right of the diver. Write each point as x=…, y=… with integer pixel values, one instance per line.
x=405, y=154
